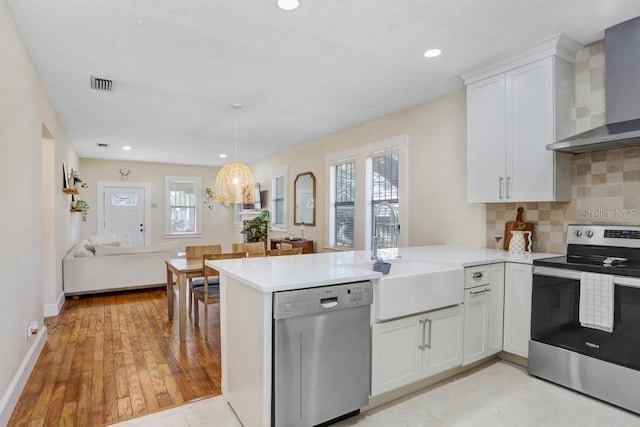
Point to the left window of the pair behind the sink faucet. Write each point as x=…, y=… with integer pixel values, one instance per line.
x=342, y=200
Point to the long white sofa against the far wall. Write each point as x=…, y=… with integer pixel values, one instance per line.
x=113, y=266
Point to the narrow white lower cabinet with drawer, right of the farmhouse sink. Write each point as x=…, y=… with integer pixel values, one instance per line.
x=483, y=311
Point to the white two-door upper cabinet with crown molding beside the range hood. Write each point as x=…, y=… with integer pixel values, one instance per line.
x=515, y=107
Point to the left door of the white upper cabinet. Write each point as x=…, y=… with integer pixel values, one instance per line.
x=486, y=140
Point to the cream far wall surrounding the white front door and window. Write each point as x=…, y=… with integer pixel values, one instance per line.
x=217, y=224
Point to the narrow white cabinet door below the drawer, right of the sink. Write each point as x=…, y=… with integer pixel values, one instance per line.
x=476, y=323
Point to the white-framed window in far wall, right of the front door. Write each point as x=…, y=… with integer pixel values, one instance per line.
x=183, y=209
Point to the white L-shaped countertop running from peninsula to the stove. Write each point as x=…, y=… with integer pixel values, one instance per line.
x=273, y=274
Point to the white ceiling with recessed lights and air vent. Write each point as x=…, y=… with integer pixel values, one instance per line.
x=177, y=66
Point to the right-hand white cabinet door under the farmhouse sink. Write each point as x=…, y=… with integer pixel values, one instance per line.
x=444, y=341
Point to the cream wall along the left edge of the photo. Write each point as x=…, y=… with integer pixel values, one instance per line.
x=24, y=109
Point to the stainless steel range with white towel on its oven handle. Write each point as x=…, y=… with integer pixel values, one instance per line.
x=585, y=320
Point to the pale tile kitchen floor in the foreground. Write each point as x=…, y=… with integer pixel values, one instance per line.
x=498, y=394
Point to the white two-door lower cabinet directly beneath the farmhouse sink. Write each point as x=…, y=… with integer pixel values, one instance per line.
x=416, y=347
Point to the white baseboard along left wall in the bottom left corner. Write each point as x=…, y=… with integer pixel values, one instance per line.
x=11, y=395
